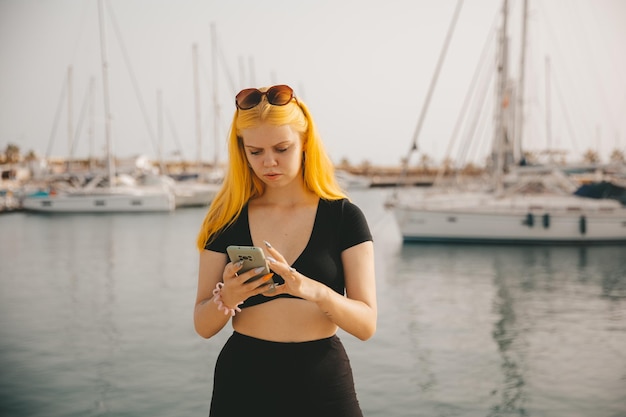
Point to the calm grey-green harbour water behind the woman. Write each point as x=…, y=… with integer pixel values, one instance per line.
x=96, y=320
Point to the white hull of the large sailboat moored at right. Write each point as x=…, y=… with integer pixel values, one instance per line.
x=507, y=223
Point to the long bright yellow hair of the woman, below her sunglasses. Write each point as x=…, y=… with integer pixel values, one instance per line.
x=241, y=184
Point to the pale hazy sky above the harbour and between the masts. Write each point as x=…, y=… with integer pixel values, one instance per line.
x=363, y=67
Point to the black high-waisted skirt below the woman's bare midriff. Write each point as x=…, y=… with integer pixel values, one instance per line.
x=255, y=377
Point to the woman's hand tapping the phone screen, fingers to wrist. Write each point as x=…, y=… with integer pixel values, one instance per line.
x=295, y=284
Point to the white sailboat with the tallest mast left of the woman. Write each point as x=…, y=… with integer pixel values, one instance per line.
x=106, y=196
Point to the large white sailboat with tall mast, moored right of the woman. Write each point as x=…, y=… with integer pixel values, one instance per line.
x=521, y=205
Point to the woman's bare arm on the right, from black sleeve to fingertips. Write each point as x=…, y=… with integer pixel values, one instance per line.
x=356, y=313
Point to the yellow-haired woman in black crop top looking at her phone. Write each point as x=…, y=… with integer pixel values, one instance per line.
x=280, y=193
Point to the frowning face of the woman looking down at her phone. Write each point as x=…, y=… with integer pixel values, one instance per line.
x=274, y=153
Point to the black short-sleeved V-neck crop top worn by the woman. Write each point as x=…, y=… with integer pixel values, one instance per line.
x=339, y=225
